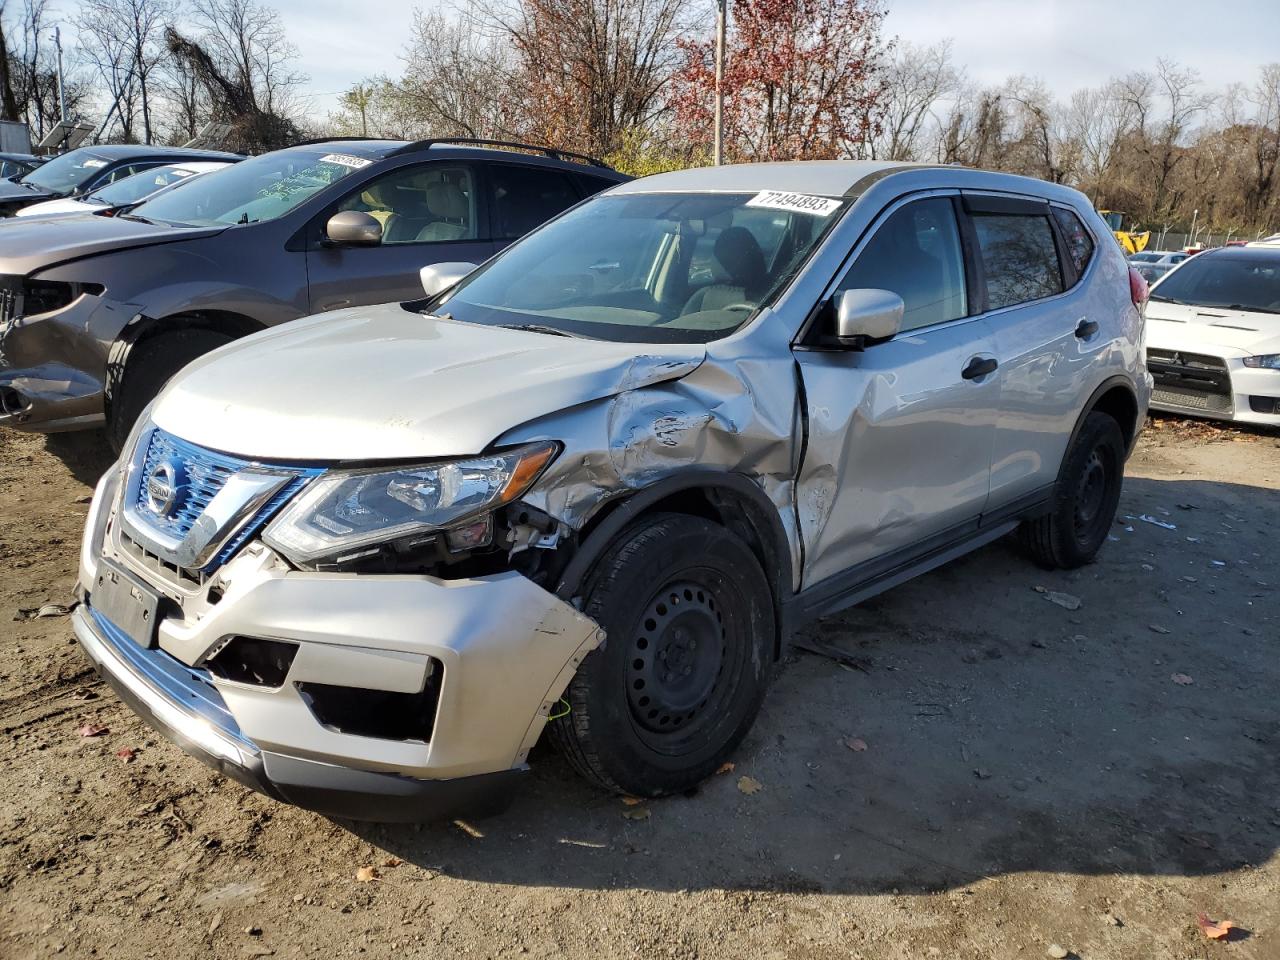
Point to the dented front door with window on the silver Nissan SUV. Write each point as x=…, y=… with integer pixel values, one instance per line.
x=900, y=435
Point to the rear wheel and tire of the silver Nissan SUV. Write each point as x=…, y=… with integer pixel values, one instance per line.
x=1085, y=499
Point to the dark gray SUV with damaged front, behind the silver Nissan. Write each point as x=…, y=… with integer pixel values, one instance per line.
x=97, y=314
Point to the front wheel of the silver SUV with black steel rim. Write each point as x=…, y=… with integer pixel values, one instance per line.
x=688, y=656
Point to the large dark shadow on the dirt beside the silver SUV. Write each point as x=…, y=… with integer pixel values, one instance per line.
x=1005, y=734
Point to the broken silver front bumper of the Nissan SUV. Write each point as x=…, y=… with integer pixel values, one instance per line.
x=506, y=650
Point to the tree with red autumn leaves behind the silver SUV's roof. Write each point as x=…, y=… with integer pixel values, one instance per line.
x=803, y=80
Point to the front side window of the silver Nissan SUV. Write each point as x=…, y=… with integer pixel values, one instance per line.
x=917, y=255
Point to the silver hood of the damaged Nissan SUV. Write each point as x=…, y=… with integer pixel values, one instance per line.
x=383, y=383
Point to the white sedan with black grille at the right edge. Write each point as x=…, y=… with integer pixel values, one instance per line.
x=1214, y=336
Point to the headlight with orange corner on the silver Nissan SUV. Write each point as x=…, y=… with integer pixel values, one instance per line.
x=348, y=510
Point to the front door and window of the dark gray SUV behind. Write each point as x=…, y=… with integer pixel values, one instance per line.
x=432, y=213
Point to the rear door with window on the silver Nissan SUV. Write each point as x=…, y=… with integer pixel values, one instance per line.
x=1048, y=333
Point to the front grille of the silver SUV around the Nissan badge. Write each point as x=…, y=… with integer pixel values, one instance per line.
x=199, y=476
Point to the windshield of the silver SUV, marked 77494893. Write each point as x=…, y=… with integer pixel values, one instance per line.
x=656, y=268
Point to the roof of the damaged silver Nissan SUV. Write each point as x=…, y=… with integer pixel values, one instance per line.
x=838, y=179
